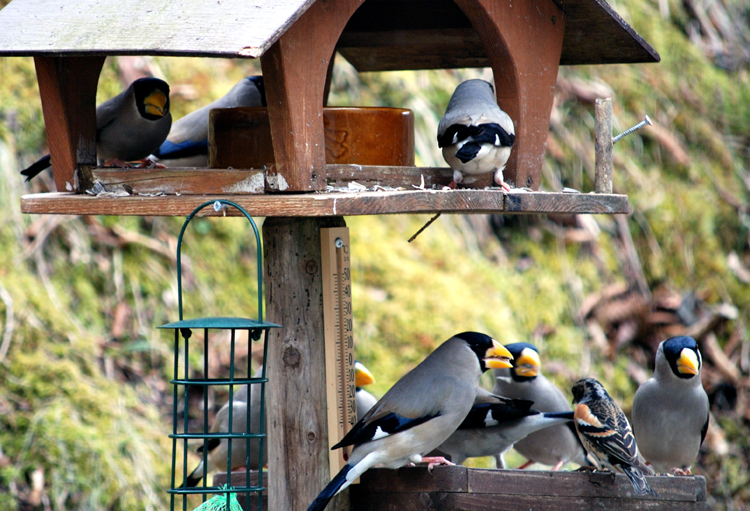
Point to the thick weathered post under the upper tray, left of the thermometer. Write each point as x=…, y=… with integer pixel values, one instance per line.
x=298, y=466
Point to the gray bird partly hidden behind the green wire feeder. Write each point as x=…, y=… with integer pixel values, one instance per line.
x=218, y=449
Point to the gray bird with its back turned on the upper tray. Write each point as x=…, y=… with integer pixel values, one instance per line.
x=475, y=134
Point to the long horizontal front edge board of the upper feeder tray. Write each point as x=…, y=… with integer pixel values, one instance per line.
x=333, y=204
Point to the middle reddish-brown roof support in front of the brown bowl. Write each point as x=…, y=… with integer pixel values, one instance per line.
x=294, y=71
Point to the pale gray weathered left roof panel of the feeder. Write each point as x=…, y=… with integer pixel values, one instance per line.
x=176, y=27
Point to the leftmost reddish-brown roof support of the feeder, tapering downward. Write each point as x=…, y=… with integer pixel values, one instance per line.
x=67, y=86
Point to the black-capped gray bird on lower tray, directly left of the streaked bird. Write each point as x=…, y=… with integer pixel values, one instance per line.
x=557, y=445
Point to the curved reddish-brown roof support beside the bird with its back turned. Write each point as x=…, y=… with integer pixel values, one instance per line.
x=523, y=41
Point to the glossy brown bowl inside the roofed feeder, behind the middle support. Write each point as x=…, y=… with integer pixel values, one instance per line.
x=240, y=138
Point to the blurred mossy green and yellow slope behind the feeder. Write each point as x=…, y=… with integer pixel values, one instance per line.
x=85, y=404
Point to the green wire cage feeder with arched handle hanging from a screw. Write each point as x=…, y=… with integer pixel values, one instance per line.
x=254, y=436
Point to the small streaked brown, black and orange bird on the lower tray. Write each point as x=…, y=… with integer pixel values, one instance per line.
x=606, y=434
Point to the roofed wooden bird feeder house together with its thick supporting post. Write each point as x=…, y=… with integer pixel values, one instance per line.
x=523, y=41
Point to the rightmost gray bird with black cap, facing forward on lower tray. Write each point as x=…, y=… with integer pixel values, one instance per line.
x=670, y=410
